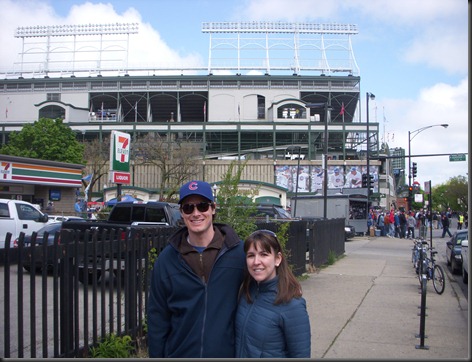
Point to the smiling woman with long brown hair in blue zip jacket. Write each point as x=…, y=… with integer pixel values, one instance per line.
x=272, y=320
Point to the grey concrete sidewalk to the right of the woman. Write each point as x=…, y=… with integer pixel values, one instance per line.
x=367, y=306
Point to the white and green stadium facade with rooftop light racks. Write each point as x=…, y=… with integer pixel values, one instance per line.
x=296, y=113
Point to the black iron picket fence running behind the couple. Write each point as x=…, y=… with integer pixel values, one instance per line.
x=76, y=293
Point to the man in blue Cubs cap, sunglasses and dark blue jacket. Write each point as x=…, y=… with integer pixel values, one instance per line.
x=195, y=283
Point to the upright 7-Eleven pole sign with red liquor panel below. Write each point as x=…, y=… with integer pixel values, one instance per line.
x=119, y=157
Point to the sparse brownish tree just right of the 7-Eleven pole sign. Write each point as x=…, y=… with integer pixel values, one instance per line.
x=174, y=158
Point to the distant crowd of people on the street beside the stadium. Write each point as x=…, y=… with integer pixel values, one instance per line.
x=403, y=224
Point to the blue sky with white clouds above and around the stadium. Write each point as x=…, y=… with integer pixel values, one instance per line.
x=413, y=55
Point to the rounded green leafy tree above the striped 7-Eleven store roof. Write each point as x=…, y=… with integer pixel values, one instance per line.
x=46, y=139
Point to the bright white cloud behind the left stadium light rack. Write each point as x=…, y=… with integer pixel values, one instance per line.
x=146, y=49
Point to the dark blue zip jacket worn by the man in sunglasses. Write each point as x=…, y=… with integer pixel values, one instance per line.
x=186, y=317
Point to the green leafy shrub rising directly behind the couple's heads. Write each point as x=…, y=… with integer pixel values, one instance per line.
x=230, y=200
